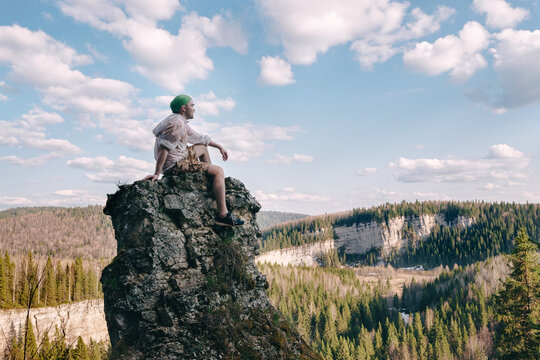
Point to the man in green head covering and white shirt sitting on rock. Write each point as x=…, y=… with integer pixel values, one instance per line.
x=171, y=150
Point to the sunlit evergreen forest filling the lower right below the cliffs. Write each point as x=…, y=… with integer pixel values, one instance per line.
x=466, y=313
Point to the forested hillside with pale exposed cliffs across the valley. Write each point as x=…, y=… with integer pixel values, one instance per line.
x=405, y=234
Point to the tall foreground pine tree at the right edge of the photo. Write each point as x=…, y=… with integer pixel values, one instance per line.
x=518, y=306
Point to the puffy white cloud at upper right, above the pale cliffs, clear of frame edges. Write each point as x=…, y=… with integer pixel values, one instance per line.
x=459, y=55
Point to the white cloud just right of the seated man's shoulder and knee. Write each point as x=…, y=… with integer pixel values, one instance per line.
x=247, y=141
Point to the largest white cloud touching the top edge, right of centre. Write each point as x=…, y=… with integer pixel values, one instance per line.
x=307, y=28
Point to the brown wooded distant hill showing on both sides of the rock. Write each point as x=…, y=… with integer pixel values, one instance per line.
x=78, y=231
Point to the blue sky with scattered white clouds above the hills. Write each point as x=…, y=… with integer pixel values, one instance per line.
x=323, y=106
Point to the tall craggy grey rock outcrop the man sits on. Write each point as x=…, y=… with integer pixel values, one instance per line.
x=182, y=287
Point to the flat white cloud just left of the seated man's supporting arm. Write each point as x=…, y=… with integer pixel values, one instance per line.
x=103, y=169
